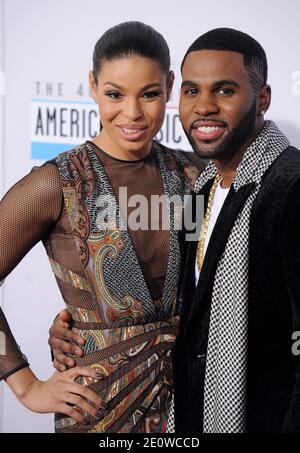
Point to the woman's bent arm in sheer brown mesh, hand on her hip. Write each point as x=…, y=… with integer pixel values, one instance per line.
x=28, y=212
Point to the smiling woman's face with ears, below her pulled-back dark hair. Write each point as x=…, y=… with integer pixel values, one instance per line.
x=131, y=93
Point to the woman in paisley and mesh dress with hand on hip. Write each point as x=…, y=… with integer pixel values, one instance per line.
x=119, y=284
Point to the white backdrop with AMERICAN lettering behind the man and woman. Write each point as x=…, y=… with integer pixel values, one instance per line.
x=45, y=108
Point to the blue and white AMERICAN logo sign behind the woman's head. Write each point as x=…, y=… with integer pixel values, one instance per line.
x=59, y=125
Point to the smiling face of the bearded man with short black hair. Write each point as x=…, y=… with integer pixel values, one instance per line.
x=217, y=104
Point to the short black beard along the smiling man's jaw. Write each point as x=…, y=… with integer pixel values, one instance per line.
x=235, y=140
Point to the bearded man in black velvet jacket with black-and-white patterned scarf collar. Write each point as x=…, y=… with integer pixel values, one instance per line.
x=234, y=370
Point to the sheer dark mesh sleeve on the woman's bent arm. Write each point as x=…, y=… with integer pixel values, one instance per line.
x=28, y=212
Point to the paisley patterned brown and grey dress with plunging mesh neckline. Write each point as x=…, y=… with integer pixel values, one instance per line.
x=128, y=335
